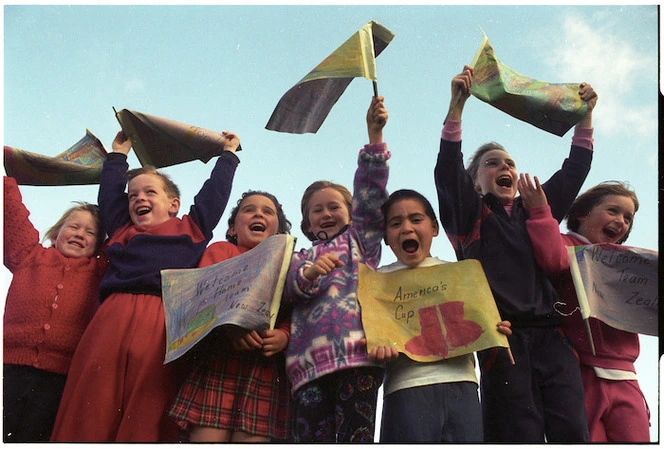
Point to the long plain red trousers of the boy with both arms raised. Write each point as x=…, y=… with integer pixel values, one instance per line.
x=118, y=388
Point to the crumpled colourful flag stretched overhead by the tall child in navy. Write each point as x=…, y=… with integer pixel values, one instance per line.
x=555, y=108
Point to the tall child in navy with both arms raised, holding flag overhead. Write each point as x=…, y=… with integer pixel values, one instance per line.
x=541, y=396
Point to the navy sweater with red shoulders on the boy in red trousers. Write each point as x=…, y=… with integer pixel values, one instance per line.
x=137, y=253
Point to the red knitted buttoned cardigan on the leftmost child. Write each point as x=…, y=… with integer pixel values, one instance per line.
x=51, y=298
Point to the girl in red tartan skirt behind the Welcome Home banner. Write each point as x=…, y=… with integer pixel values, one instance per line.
x=237, y=389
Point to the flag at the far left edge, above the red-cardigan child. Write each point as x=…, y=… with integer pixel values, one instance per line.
x=79, y=165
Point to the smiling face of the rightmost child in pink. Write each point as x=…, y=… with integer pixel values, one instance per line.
x=609, y=221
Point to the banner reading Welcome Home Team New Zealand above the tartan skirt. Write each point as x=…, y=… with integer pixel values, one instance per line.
x=244, y=290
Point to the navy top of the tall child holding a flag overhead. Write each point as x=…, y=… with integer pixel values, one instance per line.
x=480, y=228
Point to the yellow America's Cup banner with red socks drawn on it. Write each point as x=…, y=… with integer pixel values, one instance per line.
x=430, y=313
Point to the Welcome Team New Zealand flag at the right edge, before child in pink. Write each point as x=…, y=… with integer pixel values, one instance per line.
x=618, y=285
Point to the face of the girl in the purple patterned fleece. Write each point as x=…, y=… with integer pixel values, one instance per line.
x=327, y=212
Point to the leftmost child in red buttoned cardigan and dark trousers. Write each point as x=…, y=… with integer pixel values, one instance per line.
x=51, y=299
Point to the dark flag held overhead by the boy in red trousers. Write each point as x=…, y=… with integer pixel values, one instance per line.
x=162, y=142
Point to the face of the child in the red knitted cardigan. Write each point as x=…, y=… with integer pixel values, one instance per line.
x=77, y=236
